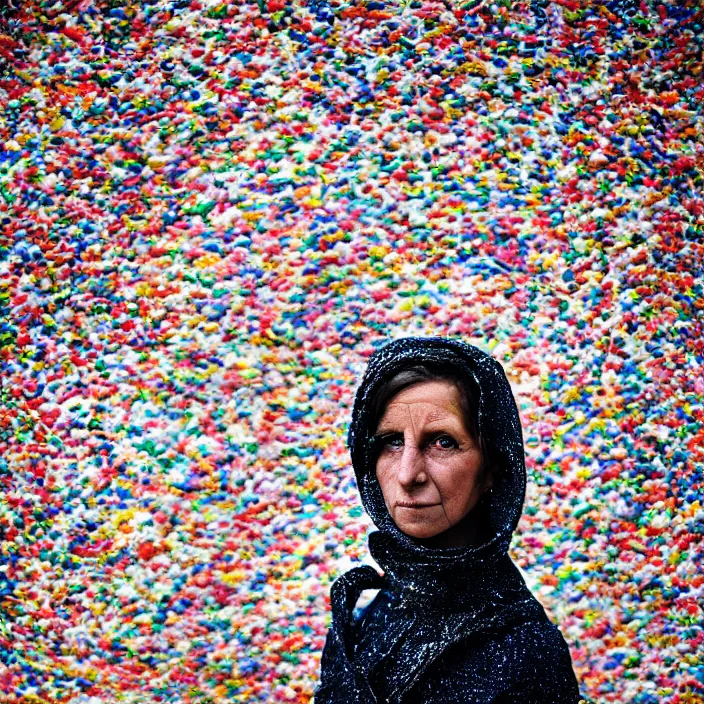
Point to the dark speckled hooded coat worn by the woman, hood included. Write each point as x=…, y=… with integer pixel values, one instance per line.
x=448, y=624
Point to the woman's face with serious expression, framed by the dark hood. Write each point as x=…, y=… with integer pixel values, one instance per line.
x=430, y=468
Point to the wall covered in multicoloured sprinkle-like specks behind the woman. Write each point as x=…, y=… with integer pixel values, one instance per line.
x=211, y=214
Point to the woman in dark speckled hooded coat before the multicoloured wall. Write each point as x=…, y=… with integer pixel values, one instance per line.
x=436, y=445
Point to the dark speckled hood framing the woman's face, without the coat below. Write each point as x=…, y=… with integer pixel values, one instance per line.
x=498, y=424
